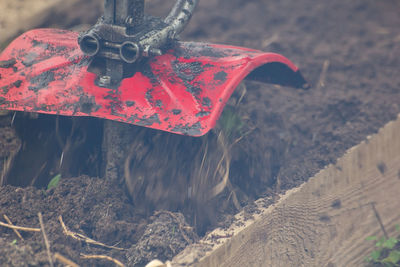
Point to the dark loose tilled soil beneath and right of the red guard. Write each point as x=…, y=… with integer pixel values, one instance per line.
x=349, y=51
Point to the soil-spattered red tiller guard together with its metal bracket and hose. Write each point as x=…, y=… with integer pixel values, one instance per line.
x=130, y=67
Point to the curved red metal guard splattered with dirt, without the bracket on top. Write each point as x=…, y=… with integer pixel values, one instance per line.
x=182, y=91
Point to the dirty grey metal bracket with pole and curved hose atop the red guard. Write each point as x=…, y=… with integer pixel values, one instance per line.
x=125, y=35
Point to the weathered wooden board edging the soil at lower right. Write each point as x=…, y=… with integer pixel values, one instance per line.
x=324, y=222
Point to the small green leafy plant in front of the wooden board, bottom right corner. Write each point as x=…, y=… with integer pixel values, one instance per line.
x=387, y=250
